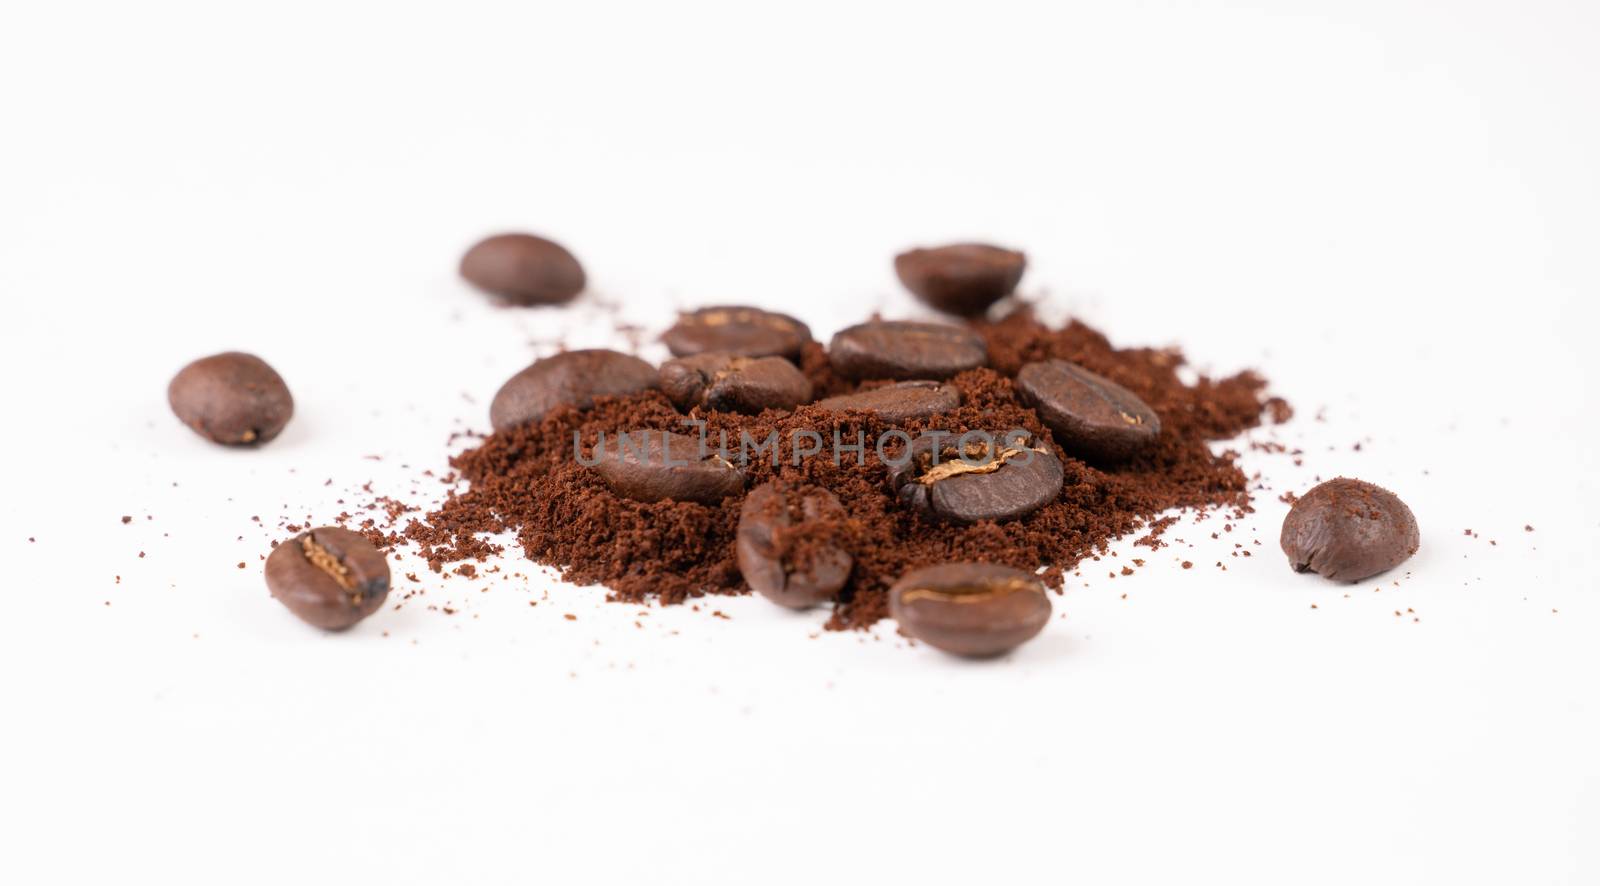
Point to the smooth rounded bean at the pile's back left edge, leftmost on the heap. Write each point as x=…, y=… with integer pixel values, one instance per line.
x=574, y=378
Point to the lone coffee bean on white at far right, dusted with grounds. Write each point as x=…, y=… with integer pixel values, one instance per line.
x=1348, y=530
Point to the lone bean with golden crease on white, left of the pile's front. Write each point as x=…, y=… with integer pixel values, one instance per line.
x=330, y=578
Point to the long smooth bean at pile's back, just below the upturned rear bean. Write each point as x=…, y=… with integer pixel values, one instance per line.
x=887, y=349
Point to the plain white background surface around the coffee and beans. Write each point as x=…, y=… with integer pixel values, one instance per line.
x=1388, y=207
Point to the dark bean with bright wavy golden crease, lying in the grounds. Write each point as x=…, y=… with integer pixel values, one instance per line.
x=993, y=479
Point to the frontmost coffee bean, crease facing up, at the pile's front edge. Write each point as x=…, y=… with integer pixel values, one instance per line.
x=975, y=610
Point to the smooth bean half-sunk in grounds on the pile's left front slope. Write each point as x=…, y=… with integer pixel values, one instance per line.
x=654, y=466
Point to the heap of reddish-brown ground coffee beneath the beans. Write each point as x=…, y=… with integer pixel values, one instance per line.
x=529, y=481
